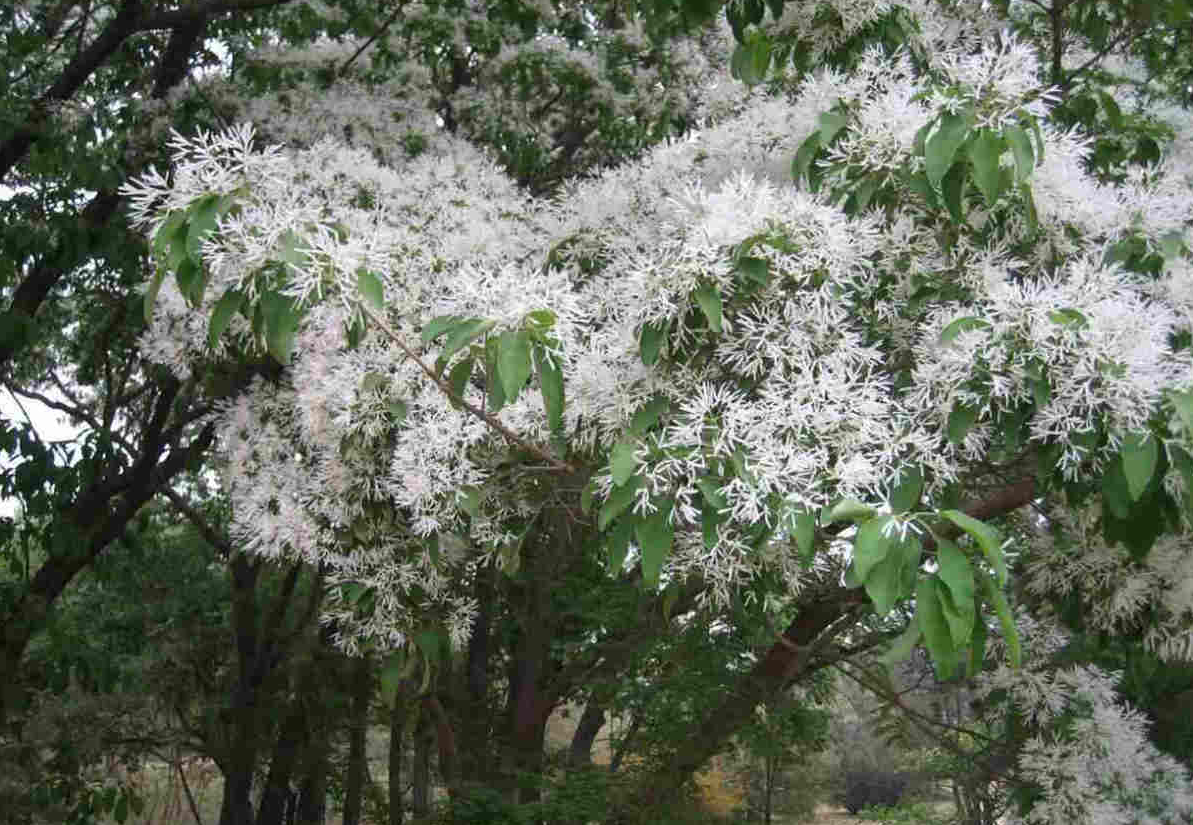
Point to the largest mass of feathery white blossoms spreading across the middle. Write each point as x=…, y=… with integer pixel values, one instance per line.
x=829, y=376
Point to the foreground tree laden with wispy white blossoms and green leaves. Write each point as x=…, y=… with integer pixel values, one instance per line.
x=848, y=324
